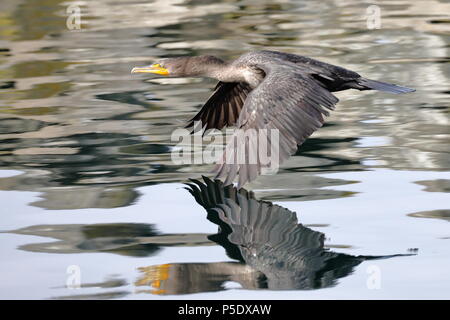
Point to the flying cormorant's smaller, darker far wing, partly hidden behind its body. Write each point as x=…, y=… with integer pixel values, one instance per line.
x=223, y=106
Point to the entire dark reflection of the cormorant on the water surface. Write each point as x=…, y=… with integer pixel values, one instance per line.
x=273, y=251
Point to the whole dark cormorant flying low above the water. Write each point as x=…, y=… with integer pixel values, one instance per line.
x=266, y=90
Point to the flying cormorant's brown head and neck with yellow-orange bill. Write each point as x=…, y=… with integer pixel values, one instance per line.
x=181, y=66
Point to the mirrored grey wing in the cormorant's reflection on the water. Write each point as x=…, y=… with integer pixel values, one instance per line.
x=257, y=226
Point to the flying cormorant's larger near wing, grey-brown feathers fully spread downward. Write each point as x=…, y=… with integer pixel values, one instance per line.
x=290, y=101
